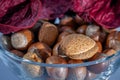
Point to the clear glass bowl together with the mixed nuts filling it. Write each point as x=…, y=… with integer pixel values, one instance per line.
x=53, y=54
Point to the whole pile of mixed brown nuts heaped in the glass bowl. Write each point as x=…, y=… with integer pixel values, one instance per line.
x=72, y=41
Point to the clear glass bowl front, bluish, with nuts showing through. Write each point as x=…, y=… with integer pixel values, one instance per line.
x=93, y=70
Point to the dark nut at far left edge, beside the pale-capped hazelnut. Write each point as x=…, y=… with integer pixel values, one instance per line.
x=6, y=42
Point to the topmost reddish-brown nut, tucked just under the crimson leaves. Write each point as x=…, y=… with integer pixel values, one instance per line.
x=67, y=21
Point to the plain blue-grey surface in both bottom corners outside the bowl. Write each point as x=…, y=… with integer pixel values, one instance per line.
x=5, y=74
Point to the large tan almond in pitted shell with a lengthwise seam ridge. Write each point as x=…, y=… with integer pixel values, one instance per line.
x=78, y=46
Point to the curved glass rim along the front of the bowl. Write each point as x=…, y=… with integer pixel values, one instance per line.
x=23, y=60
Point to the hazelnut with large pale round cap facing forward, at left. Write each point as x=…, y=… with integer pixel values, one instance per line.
x=22, y=39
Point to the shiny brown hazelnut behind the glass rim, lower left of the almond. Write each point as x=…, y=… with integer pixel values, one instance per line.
x=59, y=73
